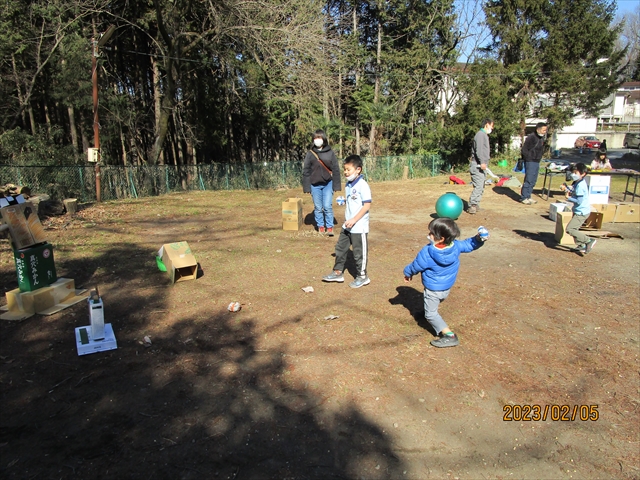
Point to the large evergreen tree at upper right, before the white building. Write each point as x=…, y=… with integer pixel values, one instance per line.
x=570, y=47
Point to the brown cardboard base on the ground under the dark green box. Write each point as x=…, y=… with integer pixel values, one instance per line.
x=44, y=301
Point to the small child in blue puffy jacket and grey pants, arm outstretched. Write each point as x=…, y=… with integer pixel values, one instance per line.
x=438, y=262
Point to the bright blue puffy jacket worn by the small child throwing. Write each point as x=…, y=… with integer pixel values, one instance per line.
x=439, y=266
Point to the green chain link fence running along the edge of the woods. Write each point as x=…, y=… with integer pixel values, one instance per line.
x=118, y=182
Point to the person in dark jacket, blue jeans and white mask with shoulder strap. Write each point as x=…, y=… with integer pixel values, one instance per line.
x=320, y=178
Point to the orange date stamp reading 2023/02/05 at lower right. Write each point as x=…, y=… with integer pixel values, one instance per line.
x=556, y=413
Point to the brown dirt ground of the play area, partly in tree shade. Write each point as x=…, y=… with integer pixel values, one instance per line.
x=277, y=391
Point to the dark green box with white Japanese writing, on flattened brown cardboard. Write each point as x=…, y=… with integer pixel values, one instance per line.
x=35, y=267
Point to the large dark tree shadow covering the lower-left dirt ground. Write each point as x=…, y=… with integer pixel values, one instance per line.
x=200, y=402
